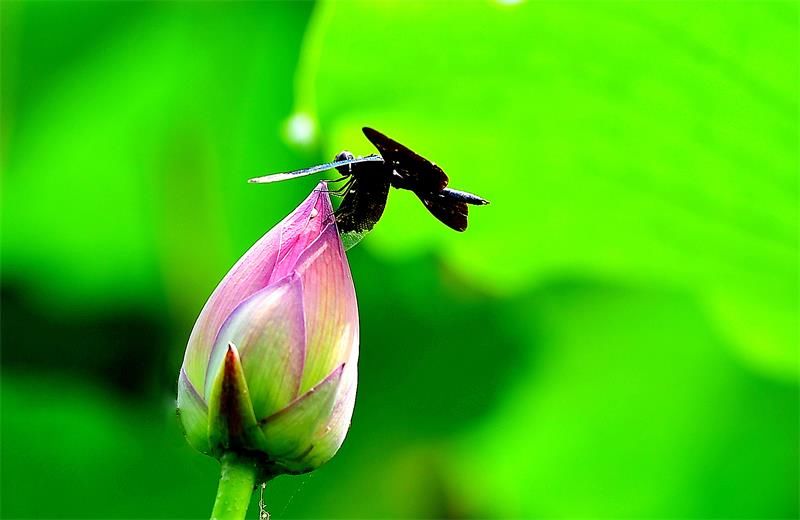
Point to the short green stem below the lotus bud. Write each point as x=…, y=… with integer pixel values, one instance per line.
x=236, y=482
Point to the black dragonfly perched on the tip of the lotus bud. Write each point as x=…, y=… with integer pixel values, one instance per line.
x=367, y=181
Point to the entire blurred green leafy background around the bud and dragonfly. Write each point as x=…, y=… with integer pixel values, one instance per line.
x=616, y=336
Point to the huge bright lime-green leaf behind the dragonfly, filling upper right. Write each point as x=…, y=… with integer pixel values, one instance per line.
x=642, y=142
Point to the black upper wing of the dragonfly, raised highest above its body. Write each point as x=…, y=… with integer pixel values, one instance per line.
x=420, y=173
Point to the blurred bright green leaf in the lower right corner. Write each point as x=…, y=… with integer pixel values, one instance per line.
x=619, y=418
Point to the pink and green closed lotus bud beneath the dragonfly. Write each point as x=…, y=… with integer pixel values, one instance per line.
x=270, y=367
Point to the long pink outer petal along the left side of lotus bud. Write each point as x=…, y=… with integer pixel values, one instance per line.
x=266, y=261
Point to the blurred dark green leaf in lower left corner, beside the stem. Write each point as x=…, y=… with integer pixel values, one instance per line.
x=72, y=451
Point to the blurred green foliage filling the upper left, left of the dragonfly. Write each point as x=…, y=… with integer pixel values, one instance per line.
x=127, y=169
